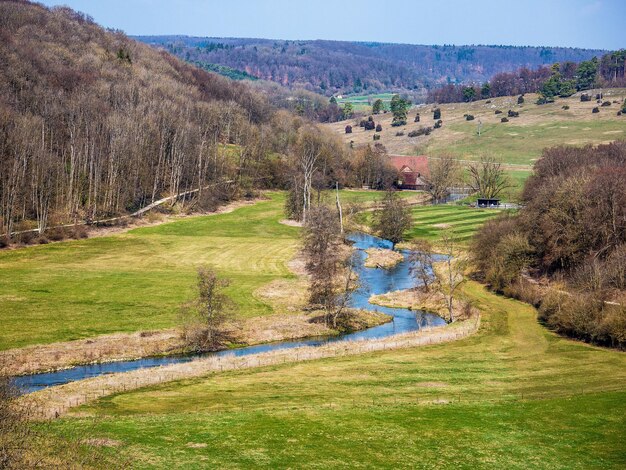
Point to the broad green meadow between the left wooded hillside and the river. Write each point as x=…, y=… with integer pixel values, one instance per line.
x=138, y=280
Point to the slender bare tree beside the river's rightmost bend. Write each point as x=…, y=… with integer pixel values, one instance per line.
x=451, y=276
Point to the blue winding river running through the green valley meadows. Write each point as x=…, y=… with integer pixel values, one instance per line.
x=372, y=281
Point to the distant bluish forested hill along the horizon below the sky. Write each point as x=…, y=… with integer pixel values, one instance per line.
x=343, y=67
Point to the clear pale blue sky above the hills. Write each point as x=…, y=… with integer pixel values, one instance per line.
x=576, y=23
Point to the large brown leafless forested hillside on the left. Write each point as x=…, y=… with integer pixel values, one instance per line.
x=95, y=124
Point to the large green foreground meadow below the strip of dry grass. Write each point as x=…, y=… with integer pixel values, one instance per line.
x=512, y=396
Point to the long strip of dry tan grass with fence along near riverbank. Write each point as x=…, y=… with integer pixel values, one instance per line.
x=53, y=402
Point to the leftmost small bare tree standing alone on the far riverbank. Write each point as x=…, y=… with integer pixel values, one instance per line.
x=204, y=316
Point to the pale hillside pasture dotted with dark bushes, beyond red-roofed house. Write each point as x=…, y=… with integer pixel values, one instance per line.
x=518, y=142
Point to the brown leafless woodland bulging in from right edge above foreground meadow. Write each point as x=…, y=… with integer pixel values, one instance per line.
x=565, y=251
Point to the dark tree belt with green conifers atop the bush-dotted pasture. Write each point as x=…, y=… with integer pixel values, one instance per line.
x=560, y=79
